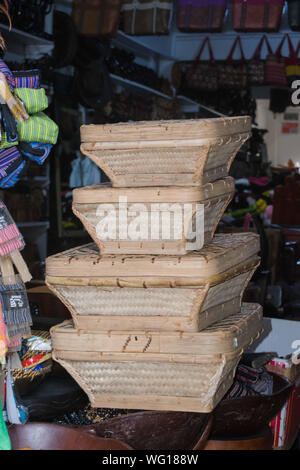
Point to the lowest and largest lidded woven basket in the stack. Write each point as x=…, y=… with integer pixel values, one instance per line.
x=176, y=381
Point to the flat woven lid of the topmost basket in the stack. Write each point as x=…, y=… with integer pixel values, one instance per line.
x=181, y=130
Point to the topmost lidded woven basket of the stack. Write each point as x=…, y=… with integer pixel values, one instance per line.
x=165, y=153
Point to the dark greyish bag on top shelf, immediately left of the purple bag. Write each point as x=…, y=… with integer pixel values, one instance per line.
x=140, y=17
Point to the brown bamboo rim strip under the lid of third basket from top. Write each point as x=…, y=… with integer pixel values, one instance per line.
x=145, y=282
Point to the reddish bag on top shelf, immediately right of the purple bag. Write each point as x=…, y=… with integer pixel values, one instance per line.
x=257, y=15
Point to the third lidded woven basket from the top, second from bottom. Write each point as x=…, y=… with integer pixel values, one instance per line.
x=154, y=292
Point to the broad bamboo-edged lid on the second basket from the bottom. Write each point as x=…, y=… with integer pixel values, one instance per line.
x=225, y=251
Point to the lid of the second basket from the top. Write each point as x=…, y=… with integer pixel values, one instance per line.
x=106, y=193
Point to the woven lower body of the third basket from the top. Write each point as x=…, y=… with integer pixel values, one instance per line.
x=188, y=309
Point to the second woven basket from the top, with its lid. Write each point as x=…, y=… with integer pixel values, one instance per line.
x=163, y=219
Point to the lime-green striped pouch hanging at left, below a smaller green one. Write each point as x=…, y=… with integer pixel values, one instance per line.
x=38, y=128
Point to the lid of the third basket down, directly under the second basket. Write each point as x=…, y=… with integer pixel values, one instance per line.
x=85, y=266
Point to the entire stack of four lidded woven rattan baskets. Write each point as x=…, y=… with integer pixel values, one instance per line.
x=157, y=322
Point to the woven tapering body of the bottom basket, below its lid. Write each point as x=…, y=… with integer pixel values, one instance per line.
x=179, y=382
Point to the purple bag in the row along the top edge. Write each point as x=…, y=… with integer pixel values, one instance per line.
x=201, y=15
